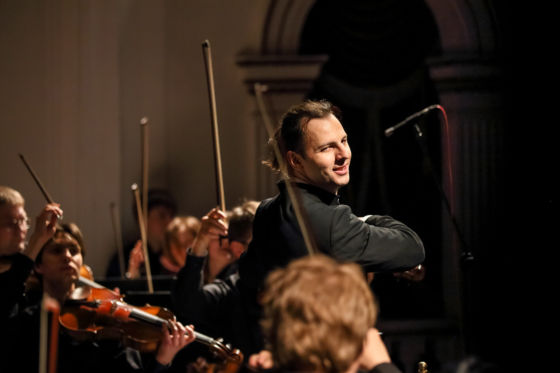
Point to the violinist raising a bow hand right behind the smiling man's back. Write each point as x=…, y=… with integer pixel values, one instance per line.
x=205, y=292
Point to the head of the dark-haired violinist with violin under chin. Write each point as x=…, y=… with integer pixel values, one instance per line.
x=60, y=260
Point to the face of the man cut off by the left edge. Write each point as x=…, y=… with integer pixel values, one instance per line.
x=13, y=229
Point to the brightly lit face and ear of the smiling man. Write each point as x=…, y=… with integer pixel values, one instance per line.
x=327, y=155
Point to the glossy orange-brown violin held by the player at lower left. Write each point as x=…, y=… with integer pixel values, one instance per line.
x=96, y=312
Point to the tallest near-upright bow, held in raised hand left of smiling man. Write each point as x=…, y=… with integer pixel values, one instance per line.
x=214, y=116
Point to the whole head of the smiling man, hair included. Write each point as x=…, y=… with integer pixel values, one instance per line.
x=314, y=145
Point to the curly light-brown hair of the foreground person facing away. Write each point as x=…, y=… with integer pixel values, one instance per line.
x=317, y=313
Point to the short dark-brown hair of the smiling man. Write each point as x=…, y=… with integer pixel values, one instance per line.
x=290, y=134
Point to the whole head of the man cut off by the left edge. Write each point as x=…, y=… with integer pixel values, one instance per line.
x=14, y=223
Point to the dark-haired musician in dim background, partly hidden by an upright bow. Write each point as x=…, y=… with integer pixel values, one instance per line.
x=161, y=210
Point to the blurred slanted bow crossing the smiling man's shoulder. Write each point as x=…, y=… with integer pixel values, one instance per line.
x=294, y=197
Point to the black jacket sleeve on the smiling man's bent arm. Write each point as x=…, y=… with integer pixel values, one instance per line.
x=378, y=243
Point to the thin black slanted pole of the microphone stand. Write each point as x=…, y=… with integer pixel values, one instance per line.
x=467, y=257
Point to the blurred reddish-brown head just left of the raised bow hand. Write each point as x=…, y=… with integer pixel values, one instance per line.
x=179, y=236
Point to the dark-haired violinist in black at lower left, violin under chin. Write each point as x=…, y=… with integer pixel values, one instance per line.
x=57, y=267
